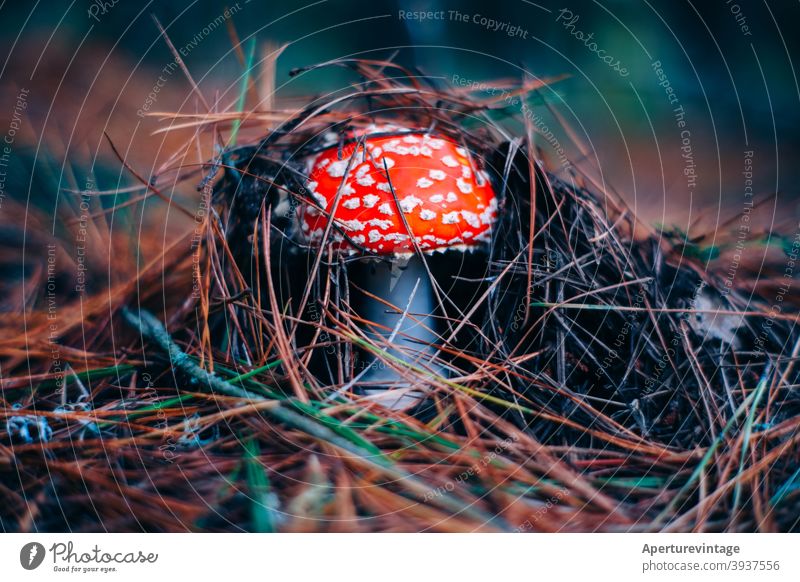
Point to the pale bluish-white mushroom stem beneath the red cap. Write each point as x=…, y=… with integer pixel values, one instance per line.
x=405, y=285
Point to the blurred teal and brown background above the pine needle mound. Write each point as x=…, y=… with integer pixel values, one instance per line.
x=730, y=65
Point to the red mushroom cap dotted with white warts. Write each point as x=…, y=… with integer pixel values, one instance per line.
x=446, y=200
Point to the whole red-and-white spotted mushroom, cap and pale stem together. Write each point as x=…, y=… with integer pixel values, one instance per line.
x=404, y=193
